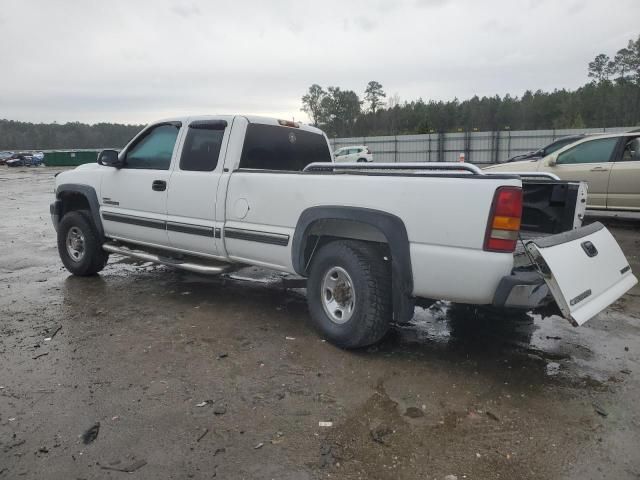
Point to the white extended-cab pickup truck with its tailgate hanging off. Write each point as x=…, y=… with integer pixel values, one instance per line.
x=211, y=194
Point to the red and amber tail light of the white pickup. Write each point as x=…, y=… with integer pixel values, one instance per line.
x=504, y=220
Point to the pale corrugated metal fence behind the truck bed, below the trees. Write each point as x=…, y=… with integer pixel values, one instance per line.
x=478, y=147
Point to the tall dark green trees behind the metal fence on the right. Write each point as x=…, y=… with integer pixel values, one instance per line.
x=611, y=98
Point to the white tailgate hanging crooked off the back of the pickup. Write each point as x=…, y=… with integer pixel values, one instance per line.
x=585, y=270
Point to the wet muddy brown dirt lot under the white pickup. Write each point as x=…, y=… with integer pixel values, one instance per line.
x=140, y=348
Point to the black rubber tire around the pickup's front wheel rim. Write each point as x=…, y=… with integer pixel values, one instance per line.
x=93, y=258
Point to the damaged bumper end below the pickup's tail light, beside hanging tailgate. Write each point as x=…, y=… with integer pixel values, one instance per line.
x=522, y=290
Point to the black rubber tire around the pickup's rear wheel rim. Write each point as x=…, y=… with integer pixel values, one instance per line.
x=371, y=278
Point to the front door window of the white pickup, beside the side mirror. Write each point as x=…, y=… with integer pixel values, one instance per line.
x=154, y=150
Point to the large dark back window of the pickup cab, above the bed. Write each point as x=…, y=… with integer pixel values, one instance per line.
x=269, y=147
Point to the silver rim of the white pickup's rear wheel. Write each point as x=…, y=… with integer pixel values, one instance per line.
x=338, y=295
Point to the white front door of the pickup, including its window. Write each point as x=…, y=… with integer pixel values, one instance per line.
x=133, y=201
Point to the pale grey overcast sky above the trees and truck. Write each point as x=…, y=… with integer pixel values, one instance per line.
x=138, y=60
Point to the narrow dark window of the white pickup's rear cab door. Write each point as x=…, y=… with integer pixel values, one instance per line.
x=202, y=146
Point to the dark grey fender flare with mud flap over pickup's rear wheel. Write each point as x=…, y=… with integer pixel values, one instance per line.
x=357, y=223
